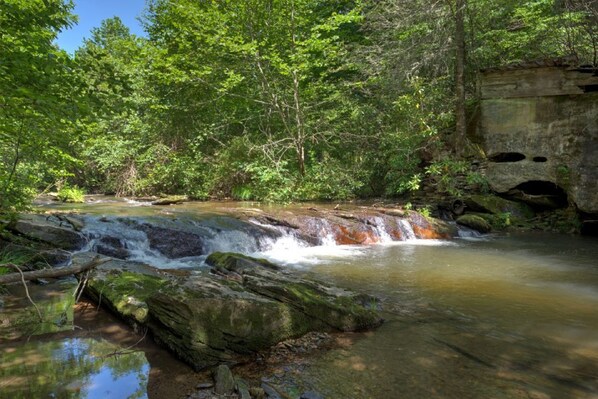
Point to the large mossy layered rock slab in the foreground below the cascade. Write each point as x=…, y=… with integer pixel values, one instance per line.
x=209, y=319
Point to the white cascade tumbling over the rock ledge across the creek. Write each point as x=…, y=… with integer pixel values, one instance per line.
x=186, y=240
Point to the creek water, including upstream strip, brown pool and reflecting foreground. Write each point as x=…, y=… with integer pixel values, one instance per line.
x=498, y=316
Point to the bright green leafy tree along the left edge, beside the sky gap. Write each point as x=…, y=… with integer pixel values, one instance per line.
x=36, y=97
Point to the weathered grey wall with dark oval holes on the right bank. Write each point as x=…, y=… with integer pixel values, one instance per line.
x=539, y=126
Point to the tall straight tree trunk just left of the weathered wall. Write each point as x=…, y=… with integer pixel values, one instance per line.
x=461, y=121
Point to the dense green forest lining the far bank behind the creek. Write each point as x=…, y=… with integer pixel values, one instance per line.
x=274, y=100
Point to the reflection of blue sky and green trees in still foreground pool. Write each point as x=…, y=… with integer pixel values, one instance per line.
x=72, y=368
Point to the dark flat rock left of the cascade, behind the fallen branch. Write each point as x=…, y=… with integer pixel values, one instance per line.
x=40, y=228
